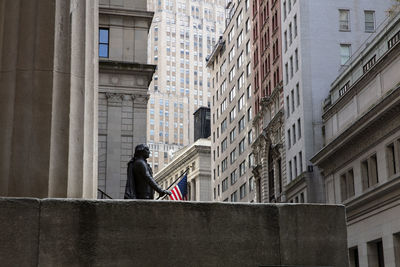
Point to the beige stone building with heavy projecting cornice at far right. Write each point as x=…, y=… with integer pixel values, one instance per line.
x=360, y=159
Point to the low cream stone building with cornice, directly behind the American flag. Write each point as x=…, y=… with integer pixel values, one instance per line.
x=195, y=158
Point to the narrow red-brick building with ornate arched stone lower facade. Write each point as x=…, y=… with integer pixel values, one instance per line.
x=268, y=147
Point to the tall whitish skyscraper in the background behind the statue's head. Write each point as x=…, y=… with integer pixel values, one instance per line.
x=182, y=35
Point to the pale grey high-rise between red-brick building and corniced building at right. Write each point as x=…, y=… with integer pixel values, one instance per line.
x=318, y=37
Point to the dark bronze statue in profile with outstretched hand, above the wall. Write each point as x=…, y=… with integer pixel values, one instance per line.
x=140, y=183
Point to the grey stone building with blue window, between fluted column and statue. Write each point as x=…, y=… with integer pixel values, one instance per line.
x=124, y=77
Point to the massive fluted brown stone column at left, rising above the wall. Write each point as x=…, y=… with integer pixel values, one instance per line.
x=48, y=96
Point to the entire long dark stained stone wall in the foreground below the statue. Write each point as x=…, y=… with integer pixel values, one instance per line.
x=57, y=232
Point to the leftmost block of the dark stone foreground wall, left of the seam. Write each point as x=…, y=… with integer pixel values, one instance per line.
x=19, y=231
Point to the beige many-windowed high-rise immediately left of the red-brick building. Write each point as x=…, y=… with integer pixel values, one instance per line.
x=231, y=108
